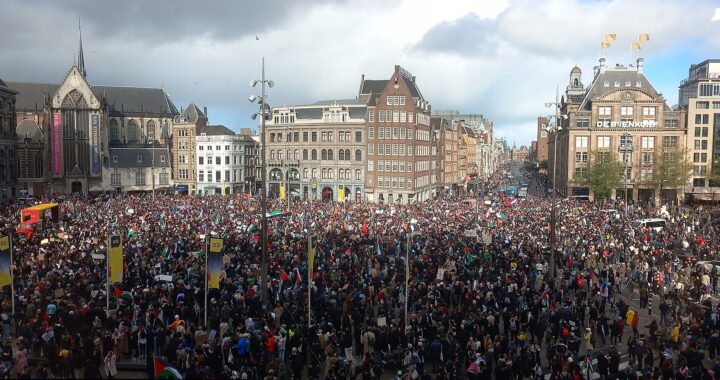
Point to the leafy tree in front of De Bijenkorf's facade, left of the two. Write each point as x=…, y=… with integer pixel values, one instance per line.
x=603, y=174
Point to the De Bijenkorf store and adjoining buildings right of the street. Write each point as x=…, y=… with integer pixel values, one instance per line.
x=620, y=112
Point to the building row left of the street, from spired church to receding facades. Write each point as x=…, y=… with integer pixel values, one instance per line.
x=384, y=144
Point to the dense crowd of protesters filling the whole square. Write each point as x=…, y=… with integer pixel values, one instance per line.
x=481, y=300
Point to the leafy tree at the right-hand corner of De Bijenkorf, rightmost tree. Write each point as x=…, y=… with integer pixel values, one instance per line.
x=673, y=169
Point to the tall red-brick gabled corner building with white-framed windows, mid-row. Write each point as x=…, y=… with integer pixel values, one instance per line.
x=401, y=165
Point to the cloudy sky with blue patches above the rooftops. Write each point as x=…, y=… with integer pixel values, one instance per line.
x=502, y=59
